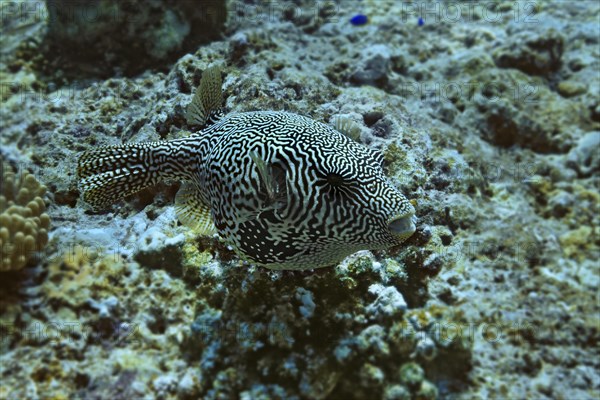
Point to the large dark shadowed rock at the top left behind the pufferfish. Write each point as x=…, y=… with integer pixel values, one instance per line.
x=130, y=36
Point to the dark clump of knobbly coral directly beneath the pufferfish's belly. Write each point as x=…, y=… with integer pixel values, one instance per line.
x=320, y=333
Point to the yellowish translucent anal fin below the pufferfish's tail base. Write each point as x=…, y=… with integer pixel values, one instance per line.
x=191, y=210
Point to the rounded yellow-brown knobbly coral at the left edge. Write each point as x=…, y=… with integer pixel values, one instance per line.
x=24, y=224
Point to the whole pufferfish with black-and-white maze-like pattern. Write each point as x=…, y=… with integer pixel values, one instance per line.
x=285, y=191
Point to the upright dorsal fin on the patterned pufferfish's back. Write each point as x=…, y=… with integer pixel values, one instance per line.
x=206, y=106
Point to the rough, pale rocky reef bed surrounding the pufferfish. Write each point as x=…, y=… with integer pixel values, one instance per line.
x=488, y=122
